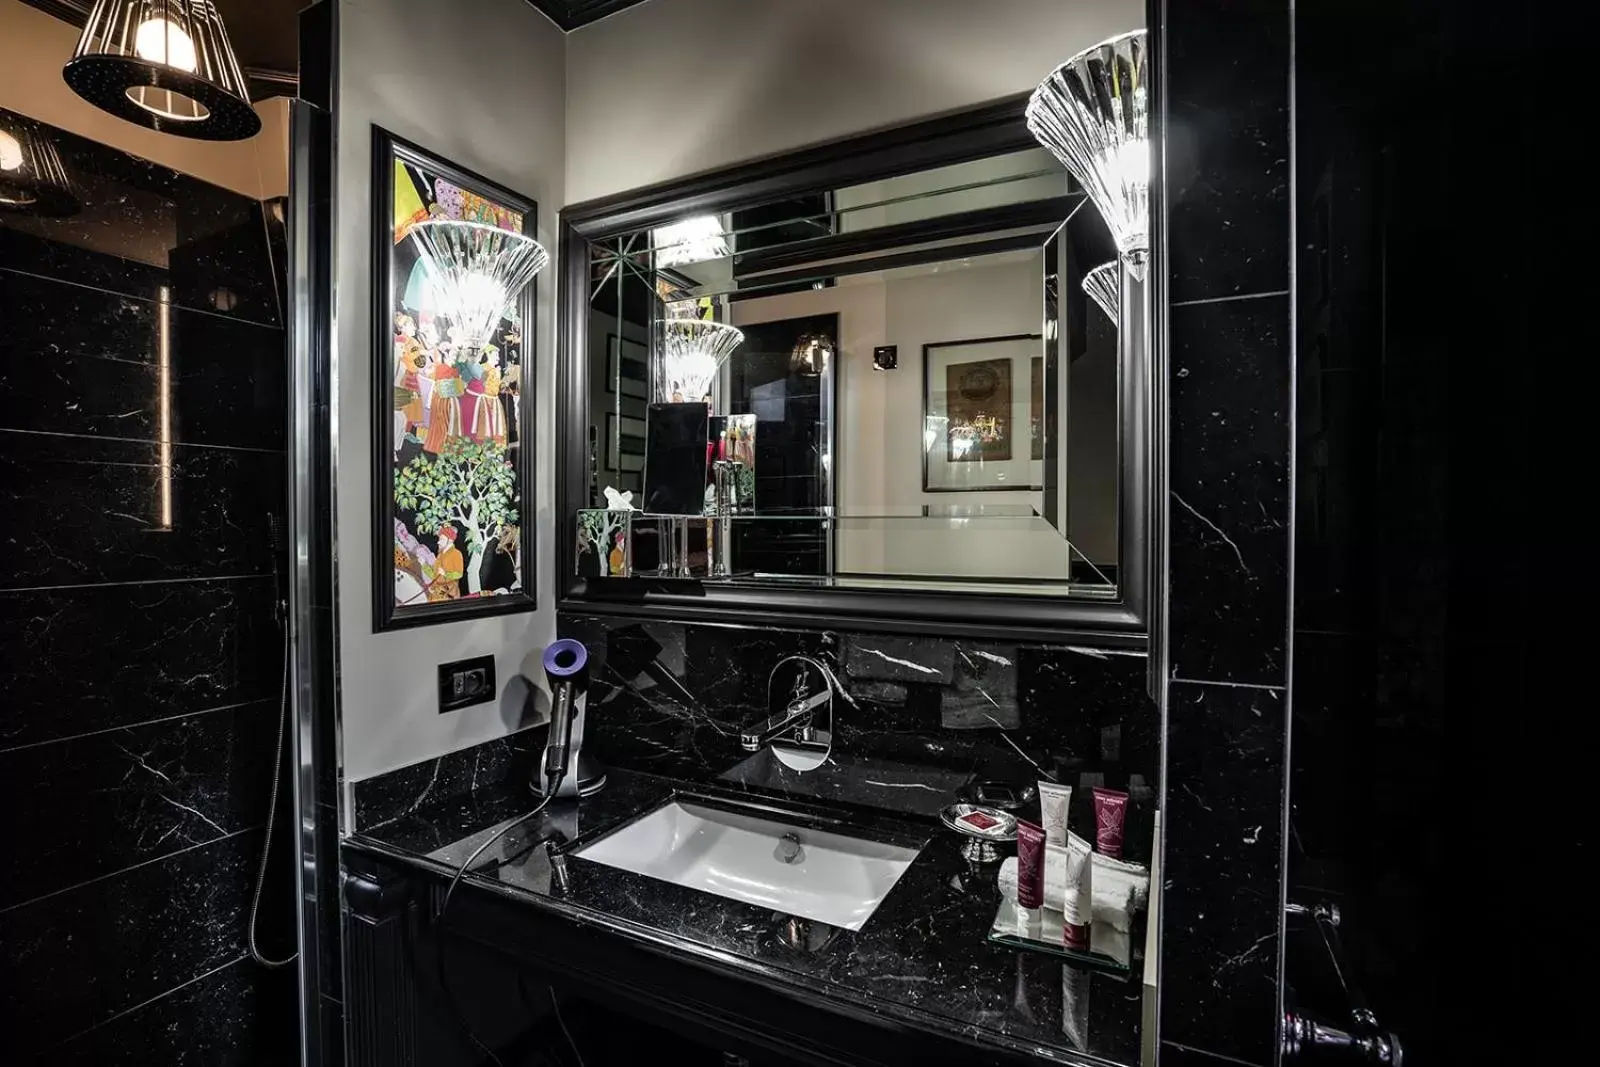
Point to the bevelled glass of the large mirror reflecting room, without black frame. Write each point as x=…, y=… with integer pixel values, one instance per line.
x=900, y=383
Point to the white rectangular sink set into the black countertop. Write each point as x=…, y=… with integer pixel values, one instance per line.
x=793, y=869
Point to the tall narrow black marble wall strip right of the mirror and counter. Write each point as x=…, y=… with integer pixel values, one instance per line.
x=1225, y=108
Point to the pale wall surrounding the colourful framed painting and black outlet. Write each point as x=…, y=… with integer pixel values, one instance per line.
x=482, y=89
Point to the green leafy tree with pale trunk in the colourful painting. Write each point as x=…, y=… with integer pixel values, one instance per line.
x=470, y=486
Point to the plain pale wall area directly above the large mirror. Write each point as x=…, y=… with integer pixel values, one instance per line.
x=676, y=87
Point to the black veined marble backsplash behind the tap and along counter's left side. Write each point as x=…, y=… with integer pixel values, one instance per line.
x=921, y=717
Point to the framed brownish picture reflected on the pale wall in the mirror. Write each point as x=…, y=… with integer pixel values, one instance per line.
x=982, y=415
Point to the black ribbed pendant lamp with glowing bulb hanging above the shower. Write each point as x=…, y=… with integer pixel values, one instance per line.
x=166, y=65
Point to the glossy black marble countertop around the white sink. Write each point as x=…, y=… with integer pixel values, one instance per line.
x=922, y=957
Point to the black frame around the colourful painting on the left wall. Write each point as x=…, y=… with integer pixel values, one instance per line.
x=388, y=148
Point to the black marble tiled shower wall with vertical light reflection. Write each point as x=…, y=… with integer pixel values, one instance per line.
x=142, y=463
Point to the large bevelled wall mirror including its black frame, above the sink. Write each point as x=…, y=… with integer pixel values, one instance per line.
x=884, y=380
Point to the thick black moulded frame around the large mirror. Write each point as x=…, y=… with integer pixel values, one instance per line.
x=954, y=138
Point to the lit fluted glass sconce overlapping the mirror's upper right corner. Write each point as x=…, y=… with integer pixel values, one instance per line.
x=1092, y=114
